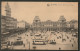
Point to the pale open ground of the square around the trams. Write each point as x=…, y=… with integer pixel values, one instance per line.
x=28, y=42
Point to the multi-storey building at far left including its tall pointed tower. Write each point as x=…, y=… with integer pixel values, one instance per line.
x=8, y=23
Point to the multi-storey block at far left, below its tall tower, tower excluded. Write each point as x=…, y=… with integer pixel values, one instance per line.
x=8, y=24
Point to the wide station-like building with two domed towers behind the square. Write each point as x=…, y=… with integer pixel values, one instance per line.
x=60, y=25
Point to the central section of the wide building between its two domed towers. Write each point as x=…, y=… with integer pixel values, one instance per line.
x=48, y=25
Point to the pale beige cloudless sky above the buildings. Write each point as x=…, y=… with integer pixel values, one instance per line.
x=45, y=10
